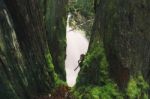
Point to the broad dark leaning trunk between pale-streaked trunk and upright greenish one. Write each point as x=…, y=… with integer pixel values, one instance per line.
x=31, y=36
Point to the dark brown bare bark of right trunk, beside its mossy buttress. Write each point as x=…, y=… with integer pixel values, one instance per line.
x=124, y=27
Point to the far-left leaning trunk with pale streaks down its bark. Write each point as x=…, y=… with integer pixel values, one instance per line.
x=12, y=73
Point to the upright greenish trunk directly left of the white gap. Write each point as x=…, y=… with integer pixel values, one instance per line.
x=55, y=20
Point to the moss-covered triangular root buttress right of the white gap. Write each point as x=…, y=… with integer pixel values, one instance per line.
x=94, y=71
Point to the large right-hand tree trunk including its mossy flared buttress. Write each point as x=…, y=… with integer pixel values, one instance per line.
x=123, y=27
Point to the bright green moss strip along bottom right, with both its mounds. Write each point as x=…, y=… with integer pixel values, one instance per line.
x=137, y=88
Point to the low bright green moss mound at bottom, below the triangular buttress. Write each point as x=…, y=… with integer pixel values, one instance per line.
x=108, y=91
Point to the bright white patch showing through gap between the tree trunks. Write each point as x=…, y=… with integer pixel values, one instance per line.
x=77, y=44
